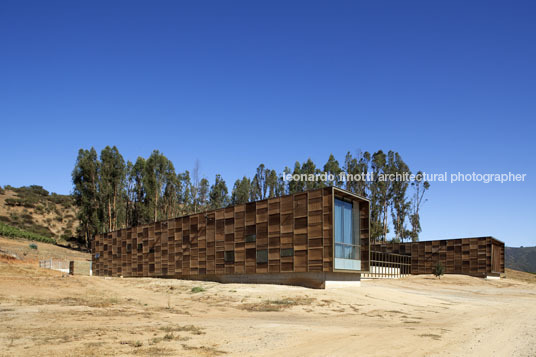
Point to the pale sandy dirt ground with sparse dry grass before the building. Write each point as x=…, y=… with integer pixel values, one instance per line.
x=43, y=312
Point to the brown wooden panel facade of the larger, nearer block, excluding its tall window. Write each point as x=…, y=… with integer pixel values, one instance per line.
x=289, y=234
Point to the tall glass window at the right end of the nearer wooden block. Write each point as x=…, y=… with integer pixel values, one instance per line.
x=346, y=244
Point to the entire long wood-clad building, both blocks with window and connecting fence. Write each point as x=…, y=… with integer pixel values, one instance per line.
x=316, y=238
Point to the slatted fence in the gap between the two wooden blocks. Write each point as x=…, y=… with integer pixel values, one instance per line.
x=388, y=265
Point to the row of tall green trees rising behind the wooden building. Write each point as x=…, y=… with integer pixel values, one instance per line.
x=112, y=194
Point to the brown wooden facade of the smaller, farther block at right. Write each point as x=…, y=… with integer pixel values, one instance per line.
x=481, y=257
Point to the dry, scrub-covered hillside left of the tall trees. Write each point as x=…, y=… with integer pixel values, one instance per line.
x=34, y=209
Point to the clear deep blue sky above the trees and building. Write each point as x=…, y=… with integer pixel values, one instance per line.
x=450, y=85
